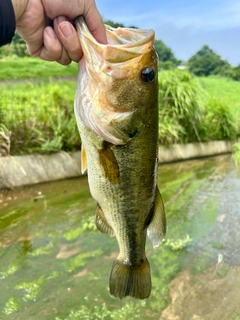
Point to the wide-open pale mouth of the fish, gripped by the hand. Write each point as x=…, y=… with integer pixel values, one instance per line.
x=123, y=43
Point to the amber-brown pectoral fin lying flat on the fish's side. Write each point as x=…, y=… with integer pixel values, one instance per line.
x=108, y=164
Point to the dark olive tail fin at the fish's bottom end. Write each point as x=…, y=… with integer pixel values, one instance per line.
x=128, y=280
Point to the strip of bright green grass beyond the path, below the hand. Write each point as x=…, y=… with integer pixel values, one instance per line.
x=24, y=68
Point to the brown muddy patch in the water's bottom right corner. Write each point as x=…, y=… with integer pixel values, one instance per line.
x=205, y=296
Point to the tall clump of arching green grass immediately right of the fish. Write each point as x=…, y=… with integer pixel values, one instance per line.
x=180, y=107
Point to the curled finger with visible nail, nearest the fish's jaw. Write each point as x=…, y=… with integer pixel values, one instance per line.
x=69, y=38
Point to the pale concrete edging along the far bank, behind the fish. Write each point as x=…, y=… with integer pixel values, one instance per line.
x=16, y=171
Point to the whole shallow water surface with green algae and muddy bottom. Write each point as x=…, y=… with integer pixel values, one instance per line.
x=55, y=265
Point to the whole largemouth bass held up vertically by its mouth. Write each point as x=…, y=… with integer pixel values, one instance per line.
x=116, y=108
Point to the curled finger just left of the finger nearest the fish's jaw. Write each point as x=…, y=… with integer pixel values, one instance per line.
x=52, y=49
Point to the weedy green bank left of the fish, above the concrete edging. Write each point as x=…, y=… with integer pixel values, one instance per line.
x=40, y=117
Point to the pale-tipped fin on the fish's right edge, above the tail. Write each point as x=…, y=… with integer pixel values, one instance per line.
x=157, y=227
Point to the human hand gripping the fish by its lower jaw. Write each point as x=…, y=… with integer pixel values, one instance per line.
x=61, y=42
